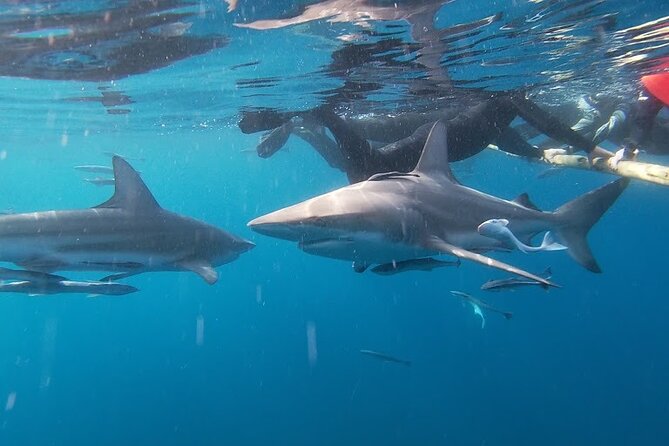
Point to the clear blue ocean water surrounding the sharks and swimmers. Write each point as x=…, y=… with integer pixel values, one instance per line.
x=270, y=353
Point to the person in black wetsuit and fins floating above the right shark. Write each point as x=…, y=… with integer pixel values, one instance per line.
x=469, y=133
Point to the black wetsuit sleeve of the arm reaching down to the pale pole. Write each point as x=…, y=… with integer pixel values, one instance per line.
x=550, y=125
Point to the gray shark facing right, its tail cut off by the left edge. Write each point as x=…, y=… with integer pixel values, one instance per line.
x=128, y=234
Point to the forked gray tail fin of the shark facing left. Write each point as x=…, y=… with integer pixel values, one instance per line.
x=579, y=215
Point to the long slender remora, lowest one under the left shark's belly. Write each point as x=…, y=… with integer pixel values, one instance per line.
x=67, y=286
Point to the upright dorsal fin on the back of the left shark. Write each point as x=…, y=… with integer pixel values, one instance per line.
x=130, y=191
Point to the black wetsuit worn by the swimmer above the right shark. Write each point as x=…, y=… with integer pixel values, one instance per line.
x=468, y=134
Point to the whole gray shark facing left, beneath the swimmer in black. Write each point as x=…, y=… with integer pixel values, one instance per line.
x=396, y=216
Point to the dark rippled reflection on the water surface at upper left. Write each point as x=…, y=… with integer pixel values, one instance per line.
x=132, y=38
